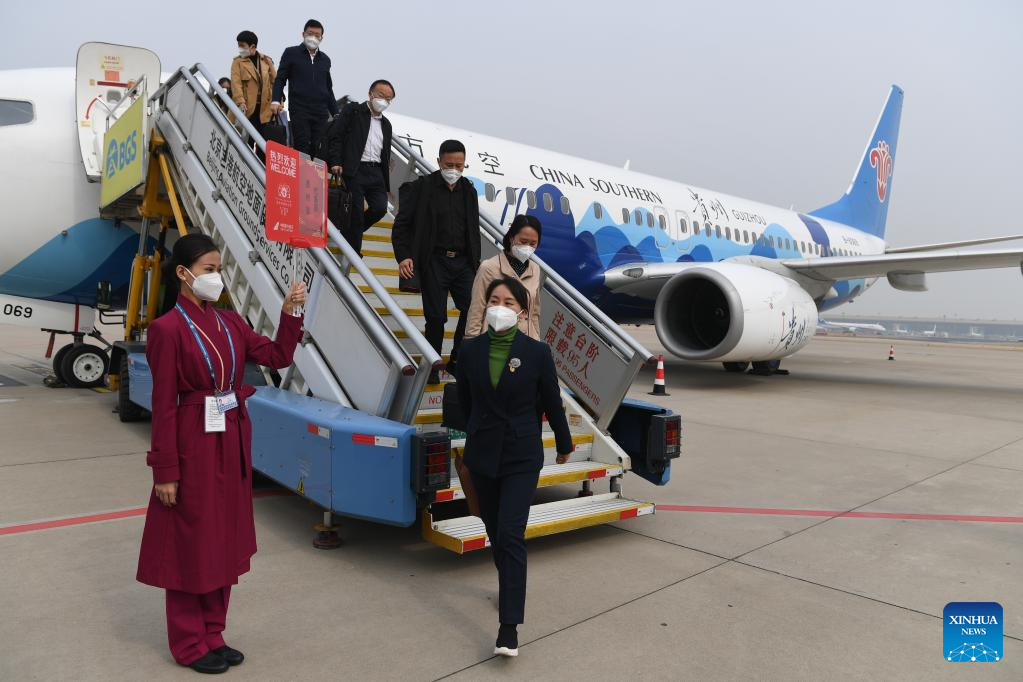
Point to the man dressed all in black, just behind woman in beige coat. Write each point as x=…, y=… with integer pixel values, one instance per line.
x=436, y=238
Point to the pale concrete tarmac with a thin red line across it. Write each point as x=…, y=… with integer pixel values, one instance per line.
x=814, y=529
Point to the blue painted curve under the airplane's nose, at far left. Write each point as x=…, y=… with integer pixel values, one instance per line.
x=67, y=268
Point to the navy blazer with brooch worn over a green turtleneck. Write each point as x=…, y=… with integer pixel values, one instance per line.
x=504, y=426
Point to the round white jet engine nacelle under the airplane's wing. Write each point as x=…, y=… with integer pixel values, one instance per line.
x=731, y=312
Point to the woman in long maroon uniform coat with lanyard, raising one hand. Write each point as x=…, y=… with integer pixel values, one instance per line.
x=200, y=533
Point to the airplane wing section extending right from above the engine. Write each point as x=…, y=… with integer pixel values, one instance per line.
x=895, y=265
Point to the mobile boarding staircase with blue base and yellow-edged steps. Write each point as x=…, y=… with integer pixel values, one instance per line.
x=353, y=425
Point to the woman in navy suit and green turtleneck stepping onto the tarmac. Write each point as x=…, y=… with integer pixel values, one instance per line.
x=507, y=381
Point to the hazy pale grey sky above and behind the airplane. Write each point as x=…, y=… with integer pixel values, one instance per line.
x=768, y=101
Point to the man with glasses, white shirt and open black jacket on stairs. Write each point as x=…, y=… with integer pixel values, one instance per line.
x=359, y=148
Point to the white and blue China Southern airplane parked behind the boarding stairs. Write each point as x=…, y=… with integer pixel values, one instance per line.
x=724, y=279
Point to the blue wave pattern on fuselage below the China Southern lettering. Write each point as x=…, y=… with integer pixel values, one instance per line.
x=583, y=251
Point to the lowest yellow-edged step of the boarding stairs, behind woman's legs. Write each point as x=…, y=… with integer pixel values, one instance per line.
x=468, y=533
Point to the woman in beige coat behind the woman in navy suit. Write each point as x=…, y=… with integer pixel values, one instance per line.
x=521, y=241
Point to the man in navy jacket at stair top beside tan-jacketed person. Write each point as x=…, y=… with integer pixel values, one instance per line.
x=306, y=70
